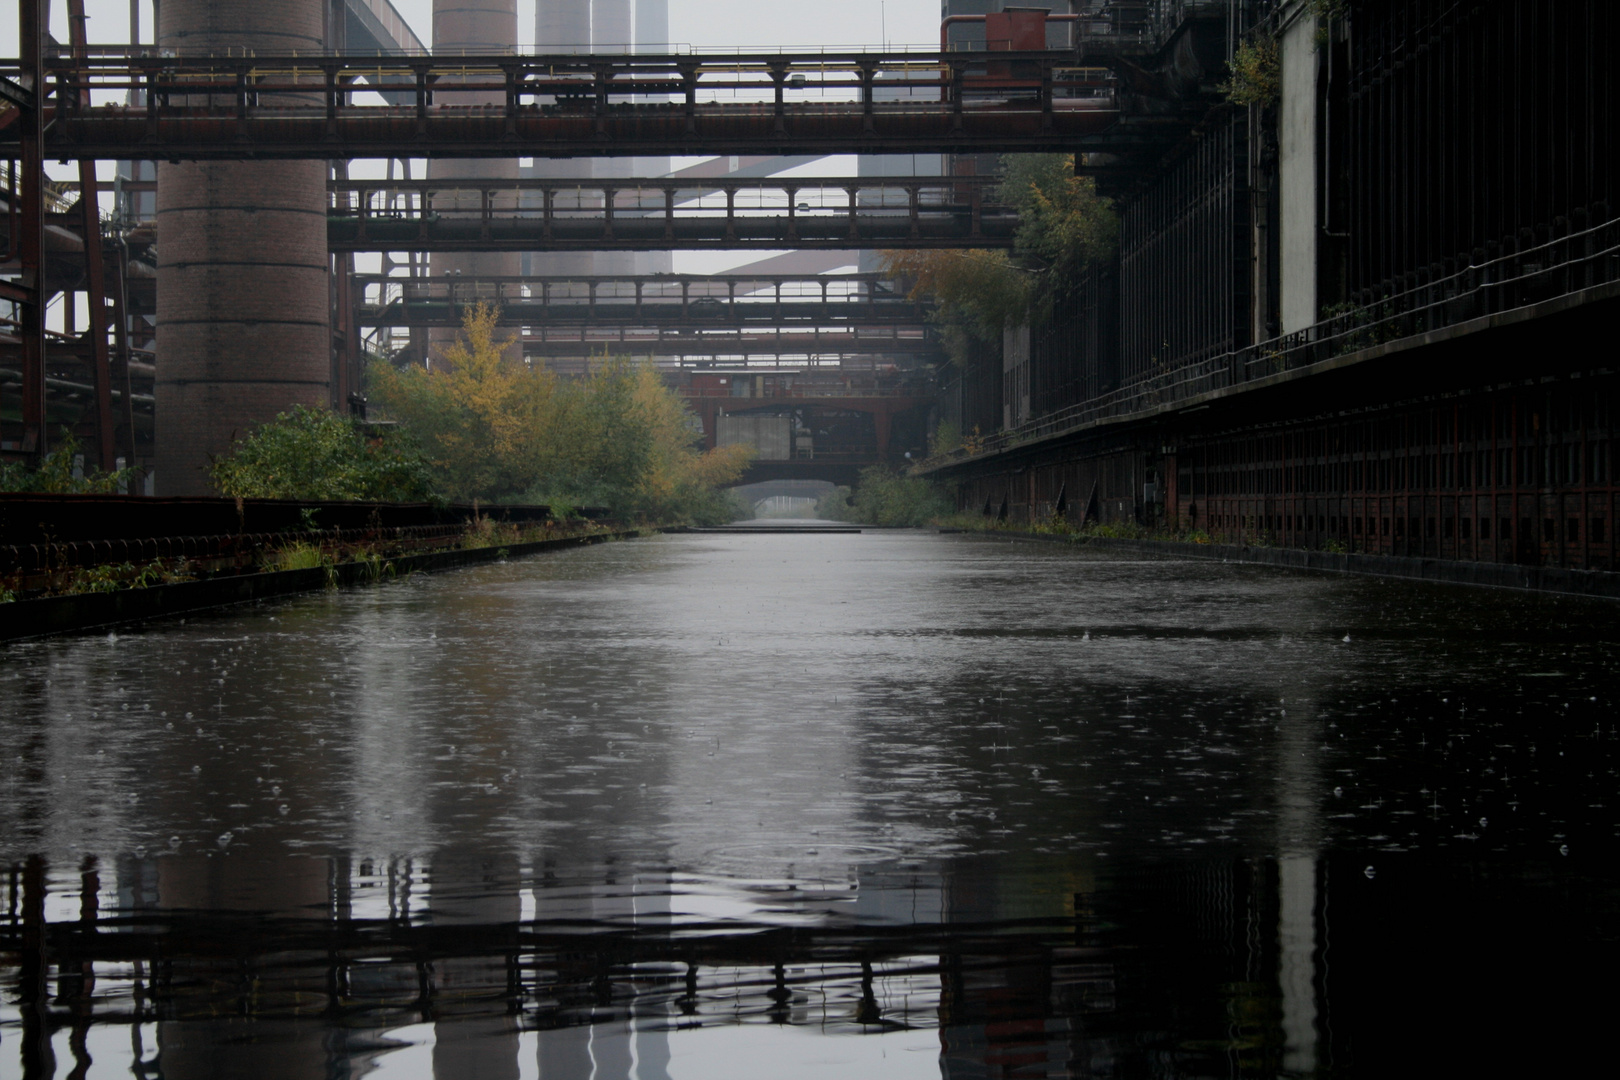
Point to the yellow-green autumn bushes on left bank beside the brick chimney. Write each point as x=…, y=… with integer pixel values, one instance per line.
x=482, y=427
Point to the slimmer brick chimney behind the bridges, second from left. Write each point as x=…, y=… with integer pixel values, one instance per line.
x=477, y=28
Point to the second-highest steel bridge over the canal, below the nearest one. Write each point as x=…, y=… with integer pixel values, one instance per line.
x=765, y=213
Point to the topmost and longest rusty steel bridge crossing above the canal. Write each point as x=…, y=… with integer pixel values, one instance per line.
x=573, y=106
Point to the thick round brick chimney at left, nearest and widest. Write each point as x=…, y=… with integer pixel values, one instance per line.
x=242, y=279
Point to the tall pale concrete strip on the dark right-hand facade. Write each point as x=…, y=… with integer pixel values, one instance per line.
x=1298, y=174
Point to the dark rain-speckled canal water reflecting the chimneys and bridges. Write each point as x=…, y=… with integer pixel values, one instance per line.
x=890, y=806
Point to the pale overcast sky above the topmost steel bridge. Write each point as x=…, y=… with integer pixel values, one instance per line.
x=699, y=23
